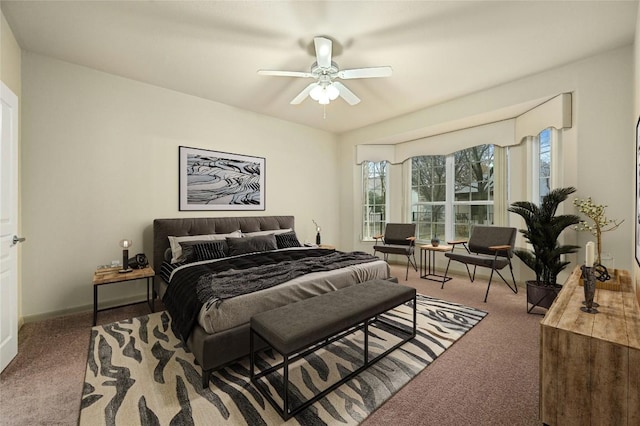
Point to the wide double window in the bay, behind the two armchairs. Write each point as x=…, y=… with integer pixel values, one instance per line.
x=450, y=194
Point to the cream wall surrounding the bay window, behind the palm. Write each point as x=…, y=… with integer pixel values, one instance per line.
x=597, y=159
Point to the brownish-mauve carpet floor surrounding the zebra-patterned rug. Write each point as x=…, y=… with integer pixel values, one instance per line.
x=490, y=377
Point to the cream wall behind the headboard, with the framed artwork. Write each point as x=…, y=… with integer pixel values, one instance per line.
x=100, y=162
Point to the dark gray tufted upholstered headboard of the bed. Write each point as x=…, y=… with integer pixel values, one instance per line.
x=162, y=228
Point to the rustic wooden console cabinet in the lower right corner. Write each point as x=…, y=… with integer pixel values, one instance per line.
x=590, y=363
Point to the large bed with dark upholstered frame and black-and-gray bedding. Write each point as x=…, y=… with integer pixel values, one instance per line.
x=219, y=333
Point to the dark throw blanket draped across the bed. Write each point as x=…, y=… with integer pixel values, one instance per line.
x=213, y=282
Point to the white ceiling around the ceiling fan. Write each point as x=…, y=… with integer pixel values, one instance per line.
x=439, y=50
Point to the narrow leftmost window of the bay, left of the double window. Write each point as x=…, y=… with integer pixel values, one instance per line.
x=374, y=209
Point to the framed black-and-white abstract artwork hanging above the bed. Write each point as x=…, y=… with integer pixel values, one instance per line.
x=213, y=180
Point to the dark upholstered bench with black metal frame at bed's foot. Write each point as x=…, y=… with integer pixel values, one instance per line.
x=300, y=328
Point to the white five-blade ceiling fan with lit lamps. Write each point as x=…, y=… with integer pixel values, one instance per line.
x=325, y=88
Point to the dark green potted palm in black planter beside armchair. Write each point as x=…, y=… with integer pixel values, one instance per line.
x=545, y=256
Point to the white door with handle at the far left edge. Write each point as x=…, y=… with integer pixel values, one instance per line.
x=8, y=227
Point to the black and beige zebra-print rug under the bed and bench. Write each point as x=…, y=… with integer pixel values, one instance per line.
x=138, y=372
